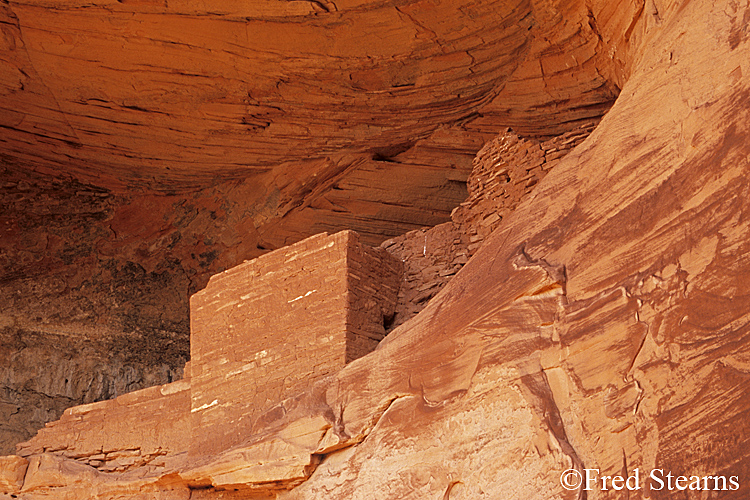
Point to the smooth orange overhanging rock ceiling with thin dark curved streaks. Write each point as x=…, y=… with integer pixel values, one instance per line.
x=168, y=95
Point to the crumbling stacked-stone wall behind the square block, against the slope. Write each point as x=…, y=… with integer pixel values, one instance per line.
x=505, y=171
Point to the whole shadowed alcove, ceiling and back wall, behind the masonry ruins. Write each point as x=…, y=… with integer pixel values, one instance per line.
x=146, y=145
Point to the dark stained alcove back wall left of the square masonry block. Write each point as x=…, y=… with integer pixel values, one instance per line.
x=95, y=285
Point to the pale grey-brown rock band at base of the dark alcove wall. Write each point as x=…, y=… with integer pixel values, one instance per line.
x=42, y=373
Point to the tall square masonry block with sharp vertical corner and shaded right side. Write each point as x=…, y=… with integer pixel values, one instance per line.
x=268, y=328
